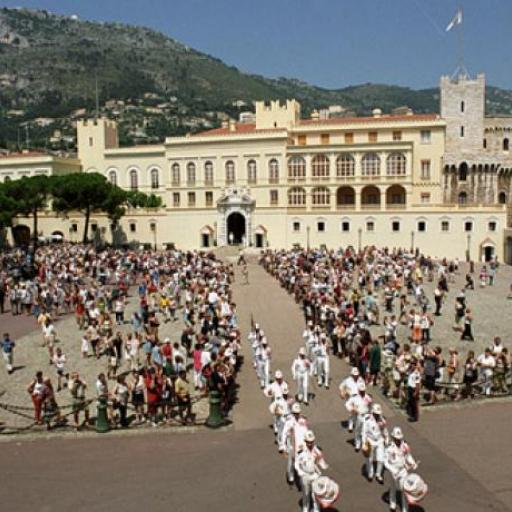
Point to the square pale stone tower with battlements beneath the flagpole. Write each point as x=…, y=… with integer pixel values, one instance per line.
x=463, y=109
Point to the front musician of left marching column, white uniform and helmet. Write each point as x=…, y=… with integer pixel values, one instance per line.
x=309, y=465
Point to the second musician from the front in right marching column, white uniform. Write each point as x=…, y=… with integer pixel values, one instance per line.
x=375, y=436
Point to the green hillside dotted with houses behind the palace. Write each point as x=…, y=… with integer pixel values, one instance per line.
x=51, y=65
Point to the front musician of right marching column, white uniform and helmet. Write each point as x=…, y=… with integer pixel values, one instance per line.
x=399, y=462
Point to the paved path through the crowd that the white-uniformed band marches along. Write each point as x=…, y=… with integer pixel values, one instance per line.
x=452, y=487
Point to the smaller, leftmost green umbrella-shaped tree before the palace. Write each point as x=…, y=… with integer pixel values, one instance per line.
x=30, y=195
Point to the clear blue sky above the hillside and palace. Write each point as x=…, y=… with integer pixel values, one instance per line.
x=329, y=43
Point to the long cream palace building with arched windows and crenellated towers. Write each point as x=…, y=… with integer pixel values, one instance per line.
x=436, y=182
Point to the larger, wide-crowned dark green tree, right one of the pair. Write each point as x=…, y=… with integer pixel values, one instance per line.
x=88, y=193
